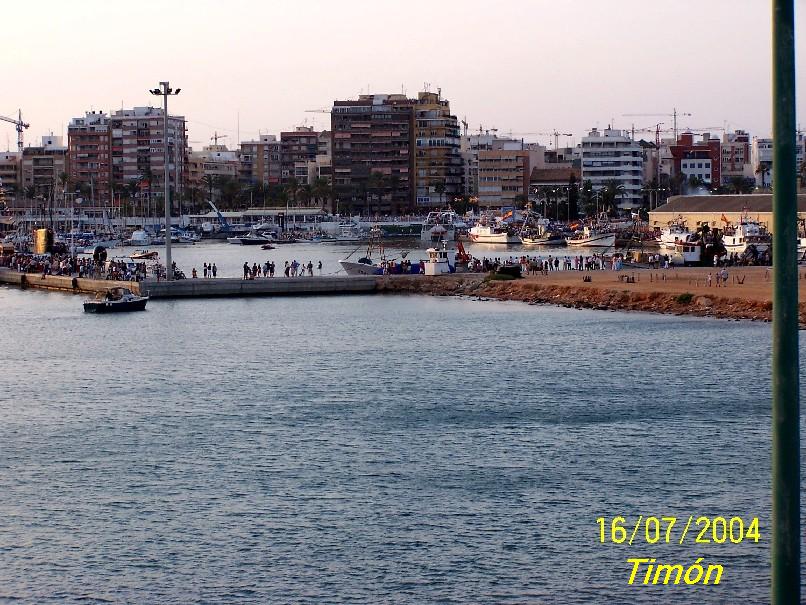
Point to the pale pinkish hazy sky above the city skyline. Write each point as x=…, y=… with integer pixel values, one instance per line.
x=521, y=66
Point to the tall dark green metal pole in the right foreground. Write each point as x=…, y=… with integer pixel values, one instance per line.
x=785, y=388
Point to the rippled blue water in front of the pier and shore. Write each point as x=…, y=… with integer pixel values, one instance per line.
x=370, y=449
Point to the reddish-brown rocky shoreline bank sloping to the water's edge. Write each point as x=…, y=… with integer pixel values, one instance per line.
x=608, y=297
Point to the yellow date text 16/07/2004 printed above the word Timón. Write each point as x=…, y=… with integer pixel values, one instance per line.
x=667, y=530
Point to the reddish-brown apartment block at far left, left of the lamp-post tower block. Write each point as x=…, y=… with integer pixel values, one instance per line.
x=88, y=154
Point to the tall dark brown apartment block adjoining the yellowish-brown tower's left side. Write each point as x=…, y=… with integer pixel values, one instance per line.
x=374, y=135
